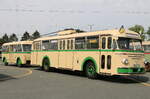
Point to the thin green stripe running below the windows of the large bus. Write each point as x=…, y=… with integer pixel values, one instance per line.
x=87, y=50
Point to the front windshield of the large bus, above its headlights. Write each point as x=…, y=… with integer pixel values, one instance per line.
x=129, y=44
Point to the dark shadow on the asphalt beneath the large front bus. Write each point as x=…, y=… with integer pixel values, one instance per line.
x=114, y=79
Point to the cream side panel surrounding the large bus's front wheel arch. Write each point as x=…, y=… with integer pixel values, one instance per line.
x=80, y=56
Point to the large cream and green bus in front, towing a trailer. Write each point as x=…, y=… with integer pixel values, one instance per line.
x=107, y=52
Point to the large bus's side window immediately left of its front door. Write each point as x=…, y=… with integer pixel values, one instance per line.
x=93, y=42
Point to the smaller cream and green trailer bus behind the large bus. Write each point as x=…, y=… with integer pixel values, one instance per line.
x=18, y=53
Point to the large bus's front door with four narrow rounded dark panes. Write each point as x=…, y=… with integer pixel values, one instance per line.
x=106, y=54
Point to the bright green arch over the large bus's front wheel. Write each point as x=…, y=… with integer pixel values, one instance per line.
x=87, y=59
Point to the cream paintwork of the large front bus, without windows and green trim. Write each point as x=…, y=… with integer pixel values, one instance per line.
x=74, y=59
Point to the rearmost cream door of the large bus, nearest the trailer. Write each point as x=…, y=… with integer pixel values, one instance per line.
x=34, y=56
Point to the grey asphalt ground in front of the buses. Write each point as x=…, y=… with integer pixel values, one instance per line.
x=32, y=83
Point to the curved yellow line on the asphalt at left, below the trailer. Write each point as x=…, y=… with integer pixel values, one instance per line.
x=28, y=72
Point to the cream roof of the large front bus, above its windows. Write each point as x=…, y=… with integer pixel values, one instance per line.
x=115, y=32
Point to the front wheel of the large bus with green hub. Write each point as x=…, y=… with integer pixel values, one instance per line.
x=90, y=70
